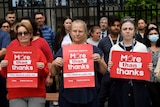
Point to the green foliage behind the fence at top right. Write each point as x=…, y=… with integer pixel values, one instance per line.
x=147, y=9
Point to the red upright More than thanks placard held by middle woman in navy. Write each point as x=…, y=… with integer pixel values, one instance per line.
x=78, y=66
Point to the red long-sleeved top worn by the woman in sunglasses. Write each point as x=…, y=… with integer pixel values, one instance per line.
x=40, y=91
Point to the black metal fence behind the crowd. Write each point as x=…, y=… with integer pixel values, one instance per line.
x=88, y=10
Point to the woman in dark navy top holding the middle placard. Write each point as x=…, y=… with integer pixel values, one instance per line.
x=79, y=97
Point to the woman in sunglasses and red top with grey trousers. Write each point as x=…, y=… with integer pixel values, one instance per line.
x=27, y=97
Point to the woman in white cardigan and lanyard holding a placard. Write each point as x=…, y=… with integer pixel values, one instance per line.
x=128, y=92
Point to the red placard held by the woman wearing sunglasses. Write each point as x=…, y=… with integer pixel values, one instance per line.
x=22, y=71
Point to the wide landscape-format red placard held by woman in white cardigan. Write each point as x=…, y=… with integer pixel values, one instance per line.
x=130, y=65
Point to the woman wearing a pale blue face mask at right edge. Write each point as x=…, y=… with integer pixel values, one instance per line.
x=152, y=41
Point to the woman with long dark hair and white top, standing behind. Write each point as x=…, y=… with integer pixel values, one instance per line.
x=63, y=37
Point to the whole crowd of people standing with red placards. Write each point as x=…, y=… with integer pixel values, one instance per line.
x=80, y=56
